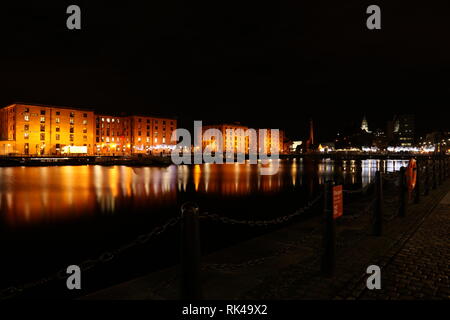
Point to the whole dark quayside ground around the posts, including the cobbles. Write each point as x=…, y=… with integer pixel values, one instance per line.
x=413, y=253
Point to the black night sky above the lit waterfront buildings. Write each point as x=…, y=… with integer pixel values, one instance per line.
x=271, y=64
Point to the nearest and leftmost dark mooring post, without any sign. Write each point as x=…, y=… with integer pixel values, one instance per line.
x=190, y=252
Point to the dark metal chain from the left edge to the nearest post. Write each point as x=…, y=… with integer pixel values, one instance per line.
x=91, y=263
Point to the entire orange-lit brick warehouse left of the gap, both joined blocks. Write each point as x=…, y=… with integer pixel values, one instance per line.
x=27, y=129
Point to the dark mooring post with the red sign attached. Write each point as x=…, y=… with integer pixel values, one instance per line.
x=329, y=236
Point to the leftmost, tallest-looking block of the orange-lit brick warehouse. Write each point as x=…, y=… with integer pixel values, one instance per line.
x=45, y=130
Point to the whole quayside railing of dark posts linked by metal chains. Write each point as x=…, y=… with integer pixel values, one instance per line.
x=431, y=173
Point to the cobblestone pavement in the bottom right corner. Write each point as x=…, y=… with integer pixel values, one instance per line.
x=421, y=269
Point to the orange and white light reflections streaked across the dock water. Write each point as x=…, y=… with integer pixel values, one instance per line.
x=45, y=194
